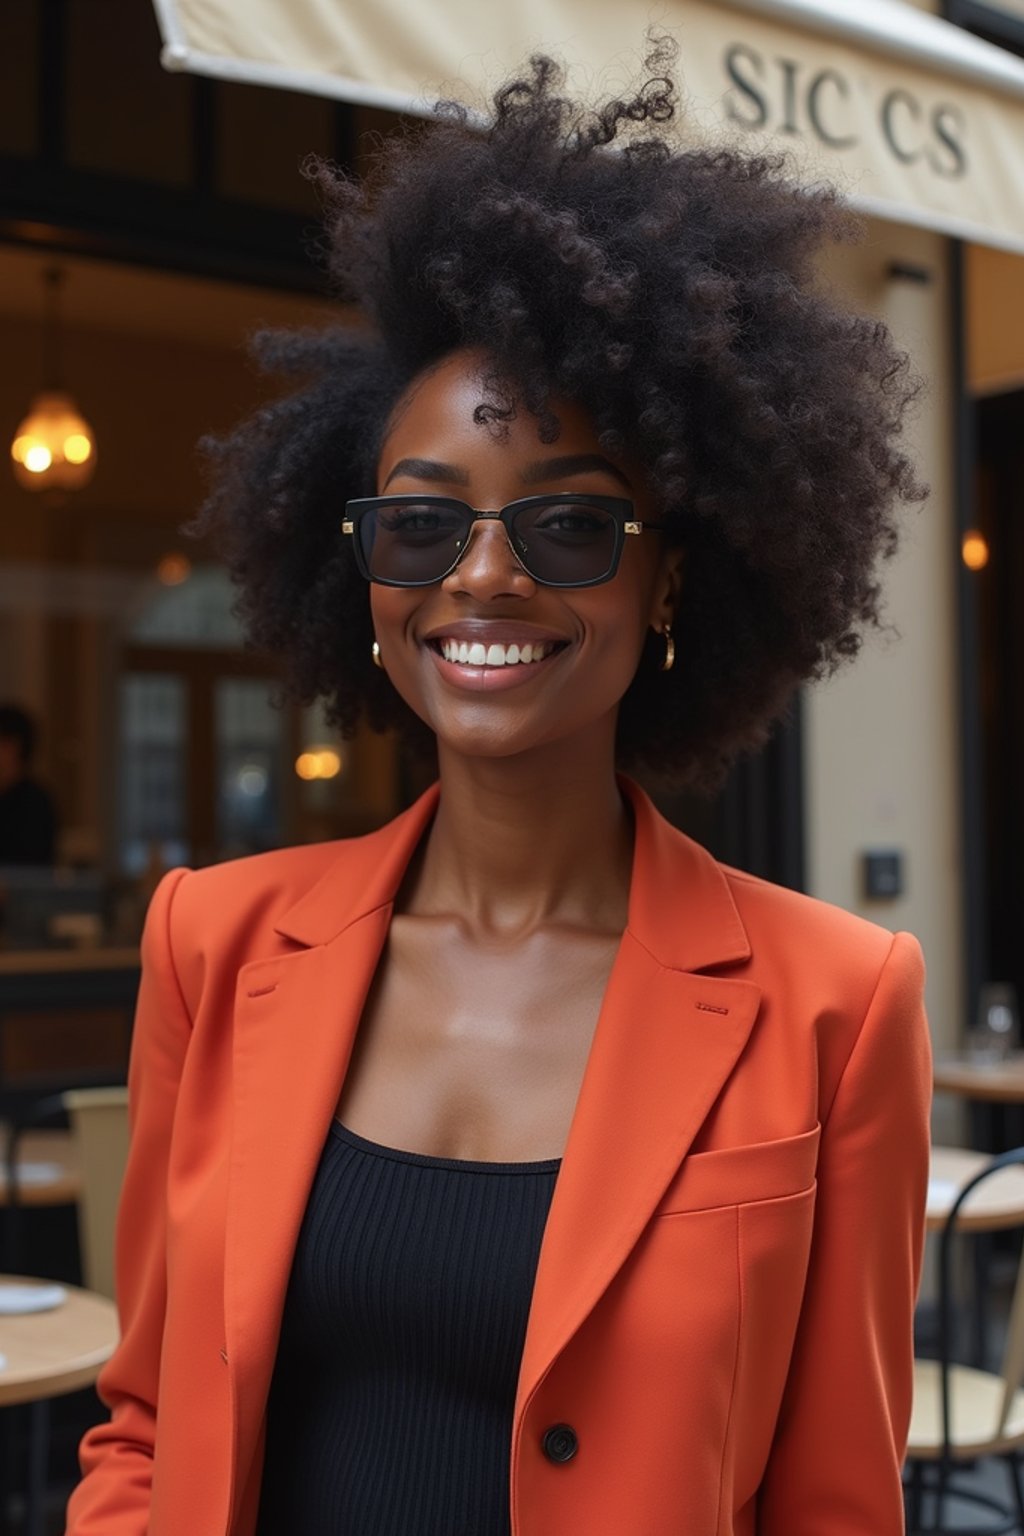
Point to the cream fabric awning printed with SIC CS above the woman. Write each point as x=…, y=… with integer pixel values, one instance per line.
x=914, y=119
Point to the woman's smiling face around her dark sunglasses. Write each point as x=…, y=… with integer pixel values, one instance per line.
x=593, y=637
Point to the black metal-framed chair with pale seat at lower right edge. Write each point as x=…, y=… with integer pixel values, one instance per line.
x=963, y=1414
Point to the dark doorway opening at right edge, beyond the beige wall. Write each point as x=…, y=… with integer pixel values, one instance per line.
x=1000, y=607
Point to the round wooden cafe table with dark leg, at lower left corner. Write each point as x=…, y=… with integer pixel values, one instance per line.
x=45, y=1356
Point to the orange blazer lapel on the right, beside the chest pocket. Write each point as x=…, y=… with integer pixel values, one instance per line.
x=664, y=1047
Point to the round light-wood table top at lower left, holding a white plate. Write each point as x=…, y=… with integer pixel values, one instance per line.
x=48, y=1354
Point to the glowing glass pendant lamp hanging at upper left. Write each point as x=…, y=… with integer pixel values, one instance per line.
x=55, y=448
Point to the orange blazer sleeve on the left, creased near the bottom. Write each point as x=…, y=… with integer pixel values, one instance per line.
x=117, y=1457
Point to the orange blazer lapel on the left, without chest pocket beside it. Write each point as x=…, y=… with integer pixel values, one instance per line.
x=294, y=1027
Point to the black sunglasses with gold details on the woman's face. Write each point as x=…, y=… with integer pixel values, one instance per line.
x=560, y=541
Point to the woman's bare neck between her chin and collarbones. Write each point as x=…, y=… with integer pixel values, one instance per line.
x=521, y=842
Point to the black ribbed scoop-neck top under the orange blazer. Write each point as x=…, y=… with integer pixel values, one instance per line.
x=392, y=1399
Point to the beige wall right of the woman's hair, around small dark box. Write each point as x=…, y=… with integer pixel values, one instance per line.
x=882, y=741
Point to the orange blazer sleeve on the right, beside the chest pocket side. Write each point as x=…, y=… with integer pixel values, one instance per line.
x=841, y=1440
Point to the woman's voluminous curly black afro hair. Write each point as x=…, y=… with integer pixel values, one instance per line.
x=673, y=294
